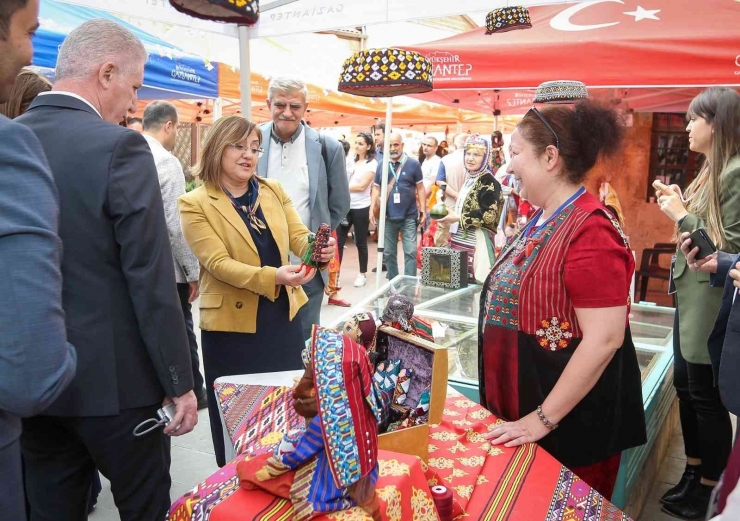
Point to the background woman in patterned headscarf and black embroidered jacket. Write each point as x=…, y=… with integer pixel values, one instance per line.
x=478, y=210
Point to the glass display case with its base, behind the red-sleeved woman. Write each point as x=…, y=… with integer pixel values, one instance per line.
x=454, y=318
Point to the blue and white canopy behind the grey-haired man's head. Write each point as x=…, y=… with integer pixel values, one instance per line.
x=170, y=73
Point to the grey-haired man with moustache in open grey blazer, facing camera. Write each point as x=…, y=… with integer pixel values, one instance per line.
x=311, y=168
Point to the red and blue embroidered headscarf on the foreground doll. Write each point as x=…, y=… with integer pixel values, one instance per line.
x=347, y=405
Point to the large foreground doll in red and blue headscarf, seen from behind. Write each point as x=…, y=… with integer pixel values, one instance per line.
x=335, y=459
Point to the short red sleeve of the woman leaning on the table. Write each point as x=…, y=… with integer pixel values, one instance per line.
x=598, y=265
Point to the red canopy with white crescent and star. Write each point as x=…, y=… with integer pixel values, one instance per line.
x=662, y=51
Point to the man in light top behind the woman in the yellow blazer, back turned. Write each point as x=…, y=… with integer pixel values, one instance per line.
x=160, y=131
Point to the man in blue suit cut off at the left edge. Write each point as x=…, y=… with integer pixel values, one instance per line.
x=36, y=362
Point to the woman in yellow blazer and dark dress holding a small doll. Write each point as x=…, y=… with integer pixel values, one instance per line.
x=242, y=229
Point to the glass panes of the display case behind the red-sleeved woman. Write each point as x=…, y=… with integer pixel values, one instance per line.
x=454, y=318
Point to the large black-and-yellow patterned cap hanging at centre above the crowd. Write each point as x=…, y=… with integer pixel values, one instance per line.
x=381, y=73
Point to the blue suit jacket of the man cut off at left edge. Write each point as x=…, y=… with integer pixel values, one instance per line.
x=36, y=362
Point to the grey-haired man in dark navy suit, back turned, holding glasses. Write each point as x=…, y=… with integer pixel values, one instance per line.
x=122, y=309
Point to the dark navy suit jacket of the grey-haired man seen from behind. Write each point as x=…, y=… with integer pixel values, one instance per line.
x=119, y=294
